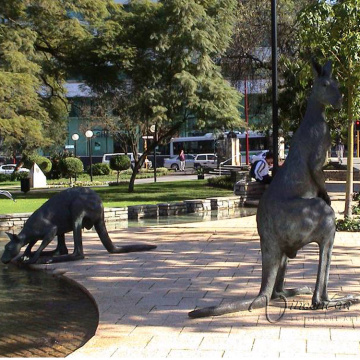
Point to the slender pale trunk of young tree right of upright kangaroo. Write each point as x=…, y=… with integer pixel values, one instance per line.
x=350, y=156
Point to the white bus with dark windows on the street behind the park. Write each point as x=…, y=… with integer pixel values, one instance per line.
x=207, y=144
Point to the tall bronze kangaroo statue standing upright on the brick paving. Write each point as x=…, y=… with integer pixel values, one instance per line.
x=295, y=210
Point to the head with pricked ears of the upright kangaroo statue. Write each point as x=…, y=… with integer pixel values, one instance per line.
x=325, y=89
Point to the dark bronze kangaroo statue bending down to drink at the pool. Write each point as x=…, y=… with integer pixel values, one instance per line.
x=70, y=210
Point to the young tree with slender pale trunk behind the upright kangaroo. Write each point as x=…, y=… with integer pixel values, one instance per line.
x=331, y=30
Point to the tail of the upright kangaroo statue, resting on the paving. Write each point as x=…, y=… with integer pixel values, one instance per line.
x=258, y=302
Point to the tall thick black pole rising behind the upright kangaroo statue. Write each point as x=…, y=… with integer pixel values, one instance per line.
x=274, y=85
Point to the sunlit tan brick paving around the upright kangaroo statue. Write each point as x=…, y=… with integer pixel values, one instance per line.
x=144, y=298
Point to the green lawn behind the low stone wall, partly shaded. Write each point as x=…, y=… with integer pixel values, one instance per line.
x=118, y=196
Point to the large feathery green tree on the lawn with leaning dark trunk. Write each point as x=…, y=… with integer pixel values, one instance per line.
x=172, y=71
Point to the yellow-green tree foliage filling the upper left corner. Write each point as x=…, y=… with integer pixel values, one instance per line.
x=40, y=42
